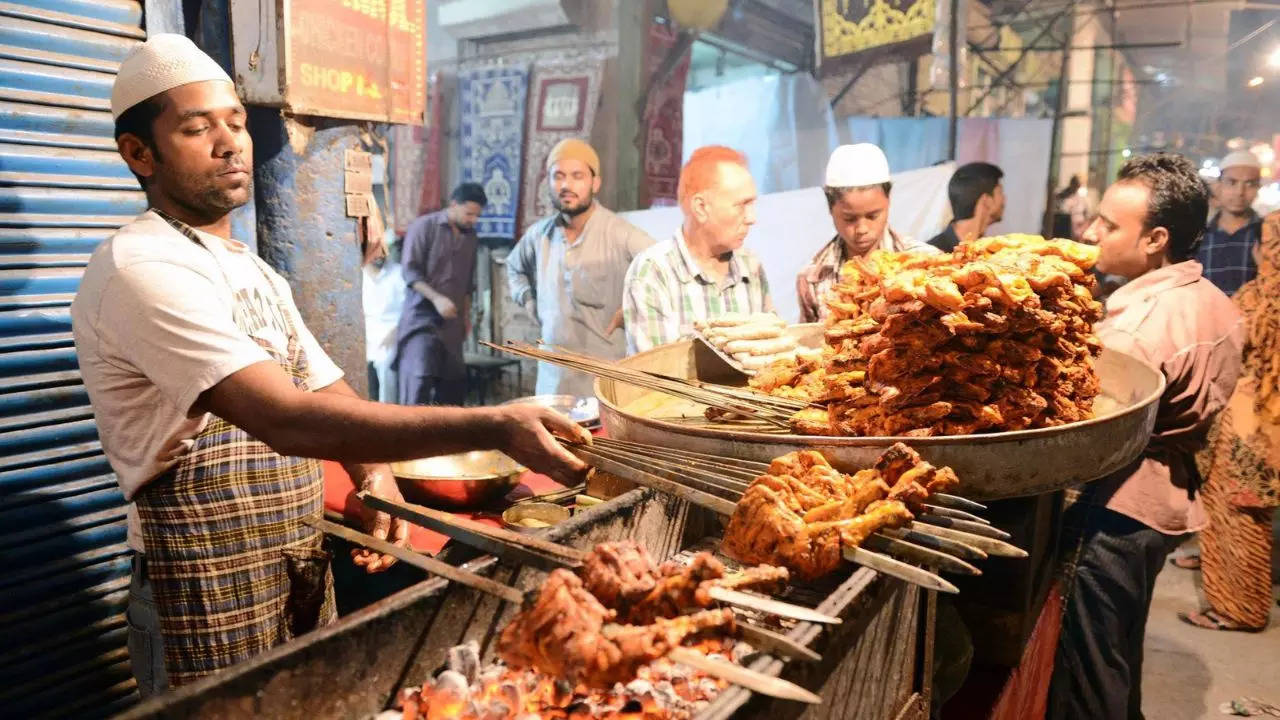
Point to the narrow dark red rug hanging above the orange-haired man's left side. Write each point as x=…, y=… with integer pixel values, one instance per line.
x=664, y=120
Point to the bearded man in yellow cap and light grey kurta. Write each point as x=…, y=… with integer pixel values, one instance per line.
x=568, y=271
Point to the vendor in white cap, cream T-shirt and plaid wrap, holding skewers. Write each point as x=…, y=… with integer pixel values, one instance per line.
x=214, y=402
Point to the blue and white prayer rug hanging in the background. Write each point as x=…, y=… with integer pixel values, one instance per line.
x=492, y=127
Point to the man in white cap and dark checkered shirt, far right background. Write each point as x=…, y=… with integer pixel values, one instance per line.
x=1233, y=235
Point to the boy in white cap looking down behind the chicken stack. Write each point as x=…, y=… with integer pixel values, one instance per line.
x=857, y=188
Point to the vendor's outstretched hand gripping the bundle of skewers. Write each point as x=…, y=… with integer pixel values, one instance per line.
x=528, y=439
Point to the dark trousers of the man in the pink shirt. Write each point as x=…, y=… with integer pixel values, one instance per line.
x=1098, y=673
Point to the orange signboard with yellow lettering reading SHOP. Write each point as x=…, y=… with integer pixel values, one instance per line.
x=360, y=60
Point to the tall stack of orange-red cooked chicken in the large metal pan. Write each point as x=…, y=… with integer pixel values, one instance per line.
x=998, y=336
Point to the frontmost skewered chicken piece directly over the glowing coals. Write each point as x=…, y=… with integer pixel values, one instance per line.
x=568, y=634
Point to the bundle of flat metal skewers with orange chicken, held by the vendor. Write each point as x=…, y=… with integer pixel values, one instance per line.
x=799, y=513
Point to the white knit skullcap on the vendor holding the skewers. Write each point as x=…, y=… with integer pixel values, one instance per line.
x=162, y=63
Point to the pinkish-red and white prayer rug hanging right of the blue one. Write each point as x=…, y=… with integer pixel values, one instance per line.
x=556, y=92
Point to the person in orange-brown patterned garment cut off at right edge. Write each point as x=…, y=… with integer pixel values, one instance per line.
x=1241, y=466
